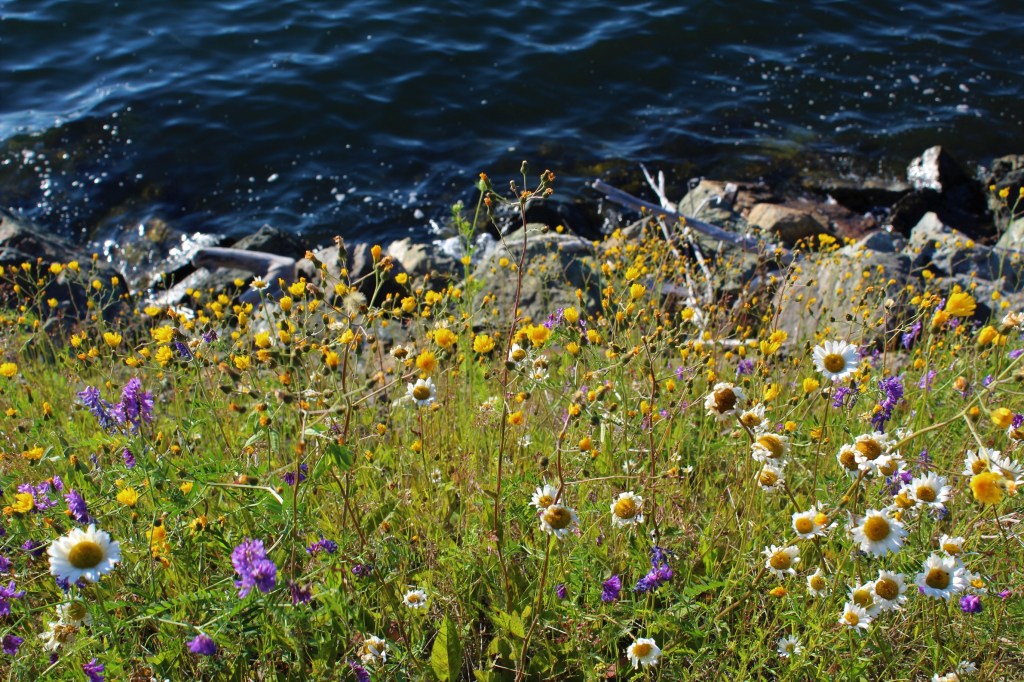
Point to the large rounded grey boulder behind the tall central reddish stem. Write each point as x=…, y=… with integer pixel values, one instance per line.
x=557, y=266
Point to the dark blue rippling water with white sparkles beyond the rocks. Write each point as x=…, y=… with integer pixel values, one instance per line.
x=368, y=119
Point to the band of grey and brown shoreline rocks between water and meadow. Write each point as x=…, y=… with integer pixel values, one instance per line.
x=941, y=223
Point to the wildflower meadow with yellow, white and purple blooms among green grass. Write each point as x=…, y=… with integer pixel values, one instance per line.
x=653, y=486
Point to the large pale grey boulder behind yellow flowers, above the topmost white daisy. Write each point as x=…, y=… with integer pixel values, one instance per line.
x=829, y=292
